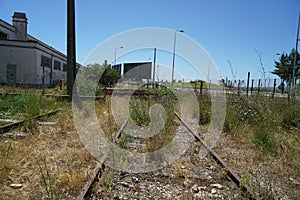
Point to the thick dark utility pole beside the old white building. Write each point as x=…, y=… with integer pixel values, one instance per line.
x=71, y=48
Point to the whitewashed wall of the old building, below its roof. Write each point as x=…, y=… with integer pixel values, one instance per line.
x=27, y=58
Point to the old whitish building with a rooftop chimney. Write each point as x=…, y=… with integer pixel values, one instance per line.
x=24, y=58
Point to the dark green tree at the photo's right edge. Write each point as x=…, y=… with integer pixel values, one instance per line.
x=284, y=67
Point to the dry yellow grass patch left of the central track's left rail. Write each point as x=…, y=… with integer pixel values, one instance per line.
x=50, y=163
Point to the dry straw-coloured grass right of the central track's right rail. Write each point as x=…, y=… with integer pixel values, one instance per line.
x=272, y=176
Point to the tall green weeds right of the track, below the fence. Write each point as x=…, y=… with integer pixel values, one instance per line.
x=262, y=118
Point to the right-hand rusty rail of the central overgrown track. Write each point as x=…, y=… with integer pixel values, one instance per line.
x=234, y=177
